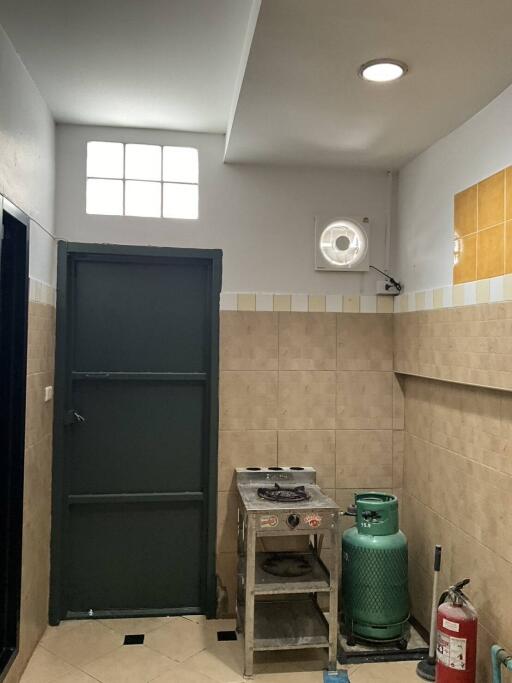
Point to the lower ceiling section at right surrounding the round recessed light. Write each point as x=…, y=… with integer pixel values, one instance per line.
x=302, y=101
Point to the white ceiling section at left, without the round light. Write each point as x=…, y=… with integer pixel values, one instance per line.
x=143, y=63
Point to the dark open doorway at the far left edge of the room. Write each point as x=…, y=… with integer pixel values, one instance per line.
x=13, y=361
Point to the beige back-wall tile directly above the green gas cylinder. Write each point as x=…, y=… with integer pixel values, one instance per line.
x=364, y=459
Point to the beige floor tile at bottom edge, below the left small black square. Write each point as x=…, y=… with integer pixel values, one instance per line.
x=134, y=664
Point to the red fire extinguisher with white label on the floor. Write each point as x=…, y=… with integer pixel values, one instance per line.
x=456, y=637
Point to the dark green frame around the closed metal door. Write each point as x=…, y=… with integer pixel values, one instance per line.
x=68, y=254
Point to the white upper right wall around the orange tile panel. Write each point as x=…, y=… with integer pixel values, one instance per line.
x=475, y=150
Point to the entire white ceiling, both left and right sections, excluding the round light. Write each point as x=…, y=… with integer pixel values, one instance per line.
x=181, y=64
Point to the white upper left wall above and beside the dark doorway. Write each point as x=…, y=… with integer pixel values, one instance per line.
x=27, y=158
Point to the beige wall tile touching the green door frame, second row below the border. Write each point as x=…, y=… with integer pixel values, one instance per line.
x=248, y=400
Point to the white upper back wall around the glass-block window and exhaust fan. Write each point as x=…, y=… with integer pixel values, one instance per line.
x=262, y=217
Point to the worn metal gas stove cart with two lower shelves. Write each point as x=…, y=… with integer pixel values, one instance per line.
x=277, y=593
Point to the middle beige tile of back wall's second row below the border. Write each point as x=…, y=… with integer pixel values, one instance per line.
x=306, y=399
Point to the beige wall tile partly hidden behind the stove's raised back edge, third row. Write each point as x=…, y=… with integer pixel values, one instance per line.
x=309, y=448
